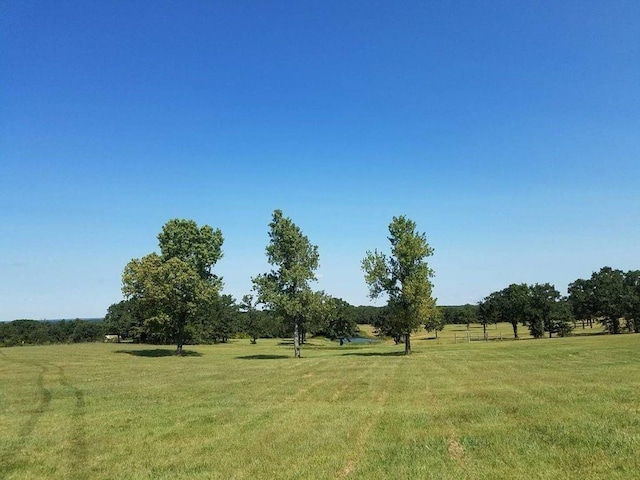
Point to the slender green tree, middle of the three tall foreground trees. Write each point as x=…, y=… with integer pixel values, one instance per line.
x=285, y=289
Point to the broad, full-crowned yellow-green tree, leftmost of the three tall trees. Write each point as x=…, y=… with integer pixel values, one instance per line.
x=172, y=288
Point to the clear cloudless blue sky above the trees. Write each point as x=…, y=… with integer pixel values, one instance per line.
x=508, y=130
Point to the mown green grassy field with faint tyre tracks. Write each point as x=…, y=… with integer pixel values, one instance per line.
x=560, y=408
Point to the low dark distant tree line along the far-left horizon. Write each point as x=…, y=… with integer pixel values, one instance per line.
x=39, y=332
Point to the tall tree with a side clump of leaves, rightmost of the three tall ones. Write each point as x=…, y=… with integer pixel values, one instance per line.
x=404, y=276
